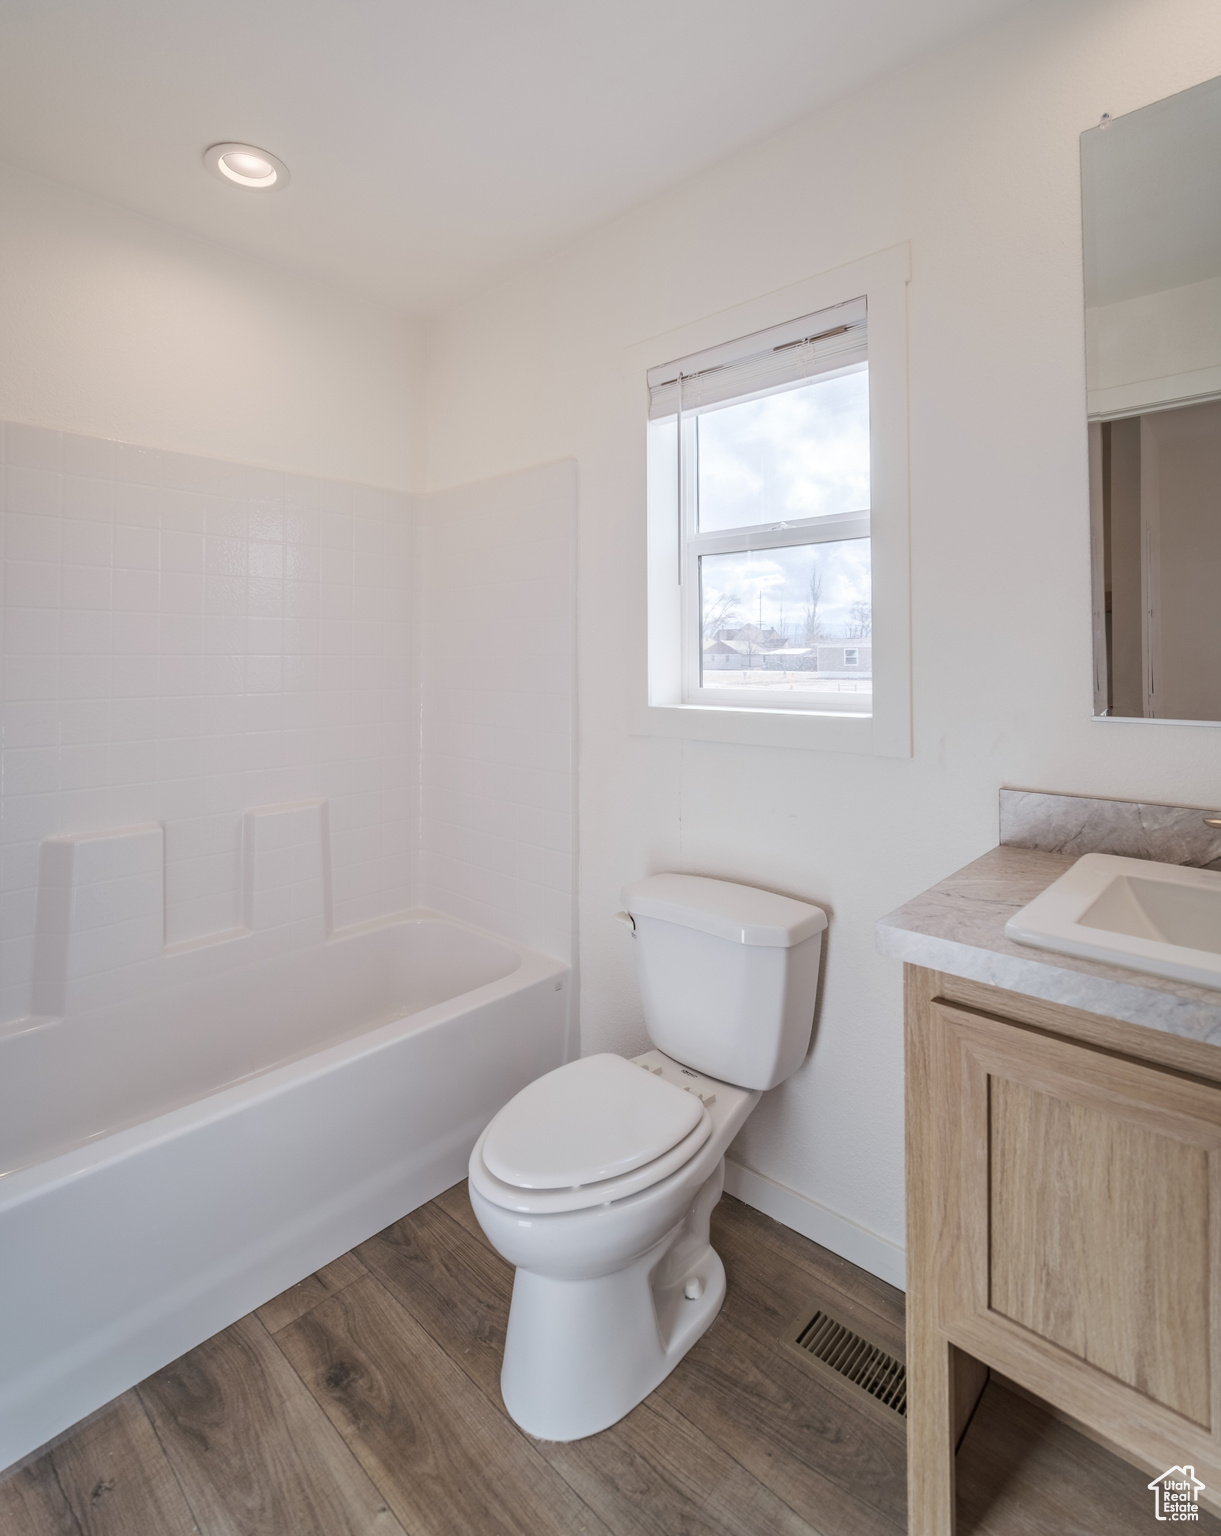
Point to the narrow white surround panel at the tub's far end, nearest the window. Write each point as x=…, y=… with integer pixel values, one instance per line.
x=497, y=666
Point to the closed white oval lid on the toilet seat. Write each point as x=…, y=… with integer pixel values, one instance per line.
x=586, y=1122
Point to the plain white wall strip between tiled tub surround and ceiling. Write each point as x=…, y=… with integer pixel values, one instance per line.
x=117, y=326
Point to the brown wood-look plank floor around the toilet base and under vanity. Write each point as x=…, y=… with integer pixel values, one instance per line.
x=365, y=1403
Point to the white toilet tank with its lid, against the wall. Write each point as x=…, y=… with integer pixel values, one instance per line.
x=727, y=973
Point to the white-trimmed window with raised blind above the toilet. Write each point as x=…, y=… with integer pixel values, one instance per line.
x=778, y=517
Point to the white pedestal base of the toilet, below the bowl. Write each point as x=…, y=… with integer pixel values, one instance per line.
x=581, y=1354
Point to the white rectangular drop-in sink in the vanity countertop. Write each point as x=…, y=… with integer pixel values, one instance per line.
x=1162, y=919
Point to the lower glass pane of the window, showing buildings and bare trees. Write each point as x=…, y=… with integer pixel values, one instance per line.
x=795, y=620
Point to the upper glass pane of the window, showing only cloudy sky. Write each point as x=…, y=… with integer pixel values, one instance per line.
x=801, y=454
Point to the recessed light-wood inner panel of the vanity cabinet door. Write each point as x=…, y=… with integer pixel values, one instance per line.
x=1100, y=1240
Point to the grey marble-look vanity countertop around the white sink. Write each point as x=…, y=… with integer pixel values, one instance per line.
x=959, y=927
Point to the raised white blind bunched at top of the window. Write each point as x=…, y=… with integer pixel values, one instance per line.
x=832, y=339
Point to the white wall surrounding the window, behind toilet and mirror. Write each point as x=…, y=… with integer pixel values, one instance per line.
x=973, y=156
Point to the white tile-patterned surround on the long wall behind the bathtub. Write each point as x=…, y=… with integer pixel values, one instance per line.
x=185, y=640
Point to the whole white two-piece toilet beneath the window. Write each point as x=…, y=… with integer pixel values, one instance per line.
x=598, y=1180
